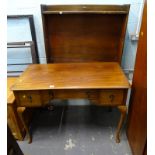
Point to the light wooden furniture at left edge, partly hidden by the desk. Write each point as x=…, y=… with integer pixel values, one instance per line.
x=15, y=123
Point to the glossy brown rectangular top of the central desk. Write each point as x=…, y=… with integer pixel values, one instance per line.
x=94, y=75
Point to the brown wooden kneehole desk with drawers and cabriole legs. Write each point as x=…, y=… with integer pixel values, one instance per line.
x=102, y=83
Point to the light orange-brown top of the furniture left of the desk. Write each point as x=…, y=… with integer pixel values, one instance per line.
x=10, y=96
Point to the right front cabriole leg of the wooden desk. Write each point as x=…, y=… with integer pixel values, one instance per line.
x=123, y=110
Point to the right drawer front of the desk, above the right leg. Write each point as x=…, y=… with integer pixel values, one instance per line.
x=111, y=97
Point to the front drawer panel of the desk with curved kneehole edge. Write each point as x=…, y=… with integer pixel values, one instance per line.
x=39, y=98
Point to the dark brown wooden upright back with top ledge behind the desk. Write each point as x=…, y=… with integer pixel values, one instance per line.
x=84, y=33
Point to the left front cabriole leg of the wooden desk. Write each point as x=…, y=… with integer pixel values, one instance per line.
x=21, y=111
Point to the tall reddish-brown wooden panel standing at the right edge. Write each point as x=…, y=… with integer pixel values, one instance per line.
x=137, y=119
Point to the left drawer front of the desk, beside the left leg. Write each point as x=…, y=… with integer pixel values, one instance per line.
x=28, y=98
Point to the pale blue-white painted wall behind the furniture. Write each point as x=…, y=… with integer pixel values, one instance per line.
x=16, y=7
